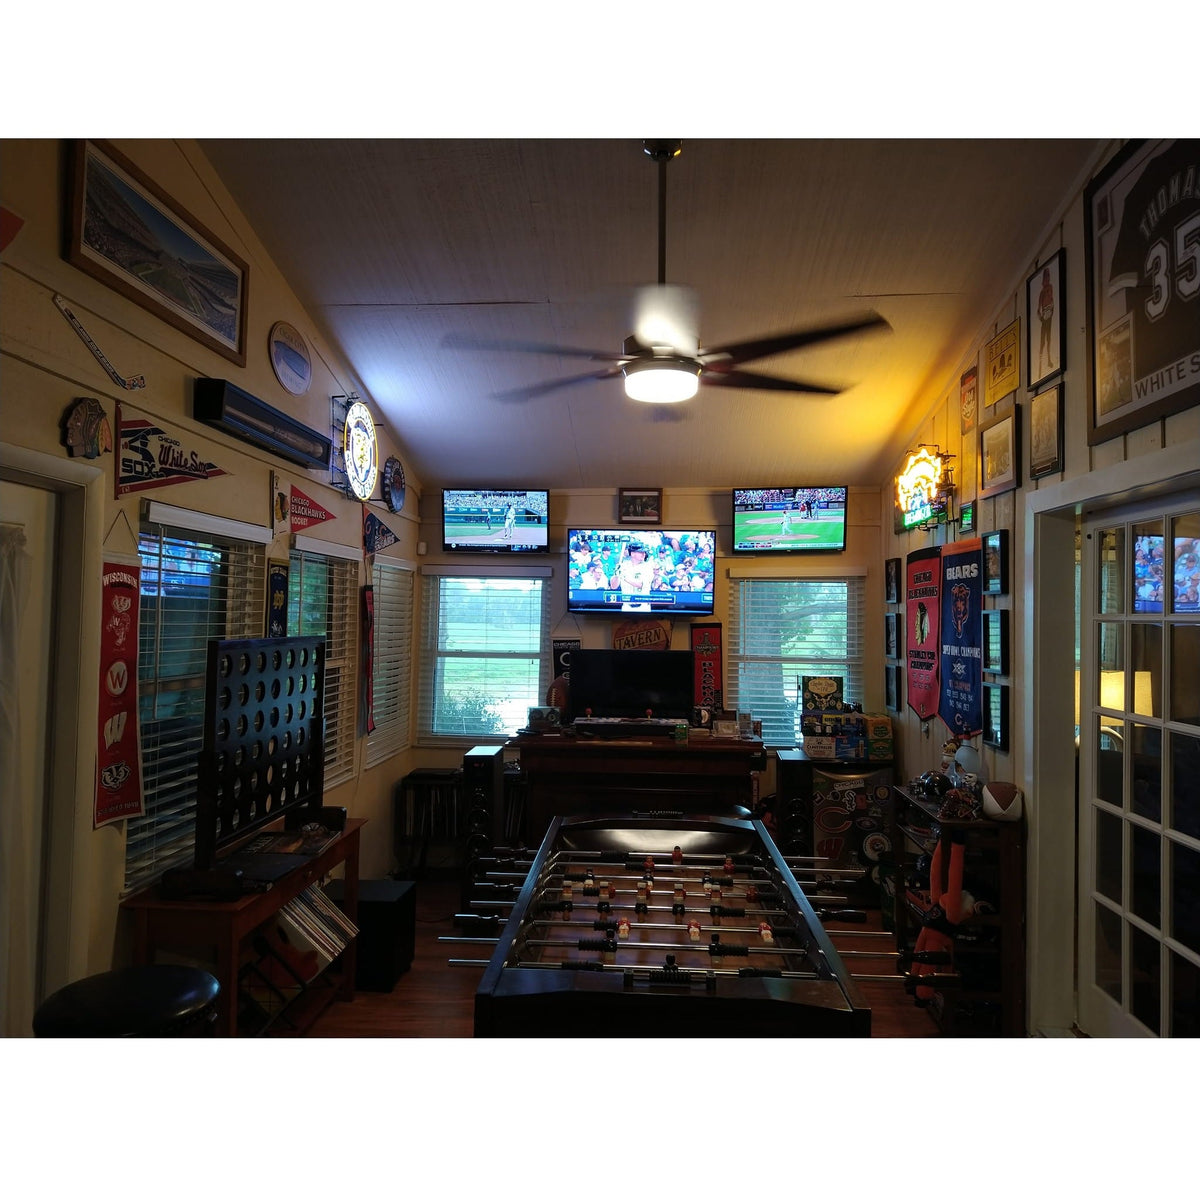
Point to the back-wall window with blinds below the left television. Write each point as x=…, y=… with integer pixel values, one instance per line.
x=483, y=653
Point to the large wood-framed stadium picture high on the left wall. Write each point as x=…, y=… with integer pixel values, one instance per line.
x=173, y=267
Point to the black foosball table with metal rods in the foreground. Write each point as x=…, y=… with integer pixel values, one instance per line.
x=658, y=927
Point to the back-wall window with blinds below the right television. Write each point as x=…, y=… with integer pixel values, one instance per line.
x=783, y=629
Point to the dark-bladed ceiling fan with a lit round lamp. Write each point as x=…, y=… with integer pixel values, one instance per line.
x=663, y=361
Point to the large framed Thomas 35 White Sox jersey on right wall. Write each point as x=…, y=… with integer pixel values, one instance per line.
x=1141, y=289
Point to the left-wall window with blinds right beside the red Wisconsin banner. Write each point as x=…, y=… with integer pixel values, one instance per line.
x=194, y=587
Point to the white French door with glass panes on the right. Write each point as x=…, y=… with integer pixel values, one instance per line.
x=1139, y=725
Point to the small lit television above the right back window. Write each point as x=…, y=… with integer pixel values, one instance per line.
x=789, y=520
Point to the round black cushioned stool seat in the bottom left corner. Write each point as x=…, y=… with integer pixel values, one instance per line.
x=133, y=1003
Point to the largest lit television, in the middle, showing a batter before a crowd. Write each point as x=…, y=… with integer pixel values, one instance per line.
x=653, y=572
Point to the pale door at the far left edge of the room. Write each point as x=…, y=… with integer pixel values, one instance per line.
x=28, y=521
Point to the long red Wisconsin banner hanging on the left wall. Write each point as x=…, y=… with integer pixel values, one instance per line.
x=118, y=746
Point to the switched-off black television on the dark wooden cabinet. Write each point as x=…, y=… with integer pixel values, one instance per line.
x=632, y=683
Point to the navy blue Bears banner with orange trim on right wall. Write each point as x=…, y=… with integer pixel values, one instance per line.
x=962, y=707
